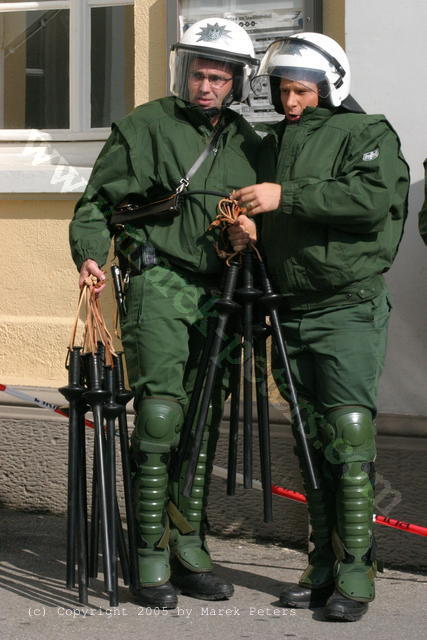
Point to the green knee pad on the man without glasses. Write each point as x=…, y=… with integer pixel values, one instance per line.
x=349, y=435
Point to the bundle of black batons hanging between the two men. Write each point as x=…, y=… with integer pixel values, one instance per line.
x=250, y=303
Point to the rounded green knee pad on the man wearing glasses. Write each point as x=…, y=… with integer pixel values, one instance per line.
x=157, y=426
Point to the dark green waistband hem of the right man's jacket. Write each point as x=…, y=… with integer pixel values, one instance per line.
x=361, y=291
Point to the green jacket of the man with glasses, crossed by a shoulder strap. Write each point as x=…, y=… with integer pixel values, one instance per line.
x=147, y=154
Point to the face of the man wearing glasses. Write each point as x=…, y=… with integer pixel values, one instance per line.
x=209, y=82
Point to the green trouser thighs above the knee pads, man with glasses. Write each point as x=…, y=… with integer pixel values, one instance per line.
x=164, y=332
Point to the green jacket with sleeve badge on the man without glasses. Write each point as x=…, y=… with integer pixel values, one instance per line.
x=344, y=203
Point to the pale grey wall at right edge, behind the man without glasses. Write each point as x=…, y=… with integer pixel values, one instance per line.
x=386, y=44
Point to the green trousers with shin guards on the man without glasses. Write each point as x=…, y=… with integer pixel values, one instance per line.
x=336, y=357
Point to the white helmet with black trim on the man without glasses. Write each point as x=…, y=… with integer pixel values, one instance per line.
x=312, y=57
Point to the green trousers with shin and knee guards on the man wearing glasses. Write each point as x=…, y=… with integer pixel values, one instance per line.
x=163, y=333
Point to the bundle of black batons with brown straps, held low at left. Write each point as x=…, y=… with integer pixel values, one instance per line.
x=96, y=382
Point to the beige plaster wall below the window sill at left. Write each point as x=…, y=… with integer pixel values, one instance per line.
x=39, y=292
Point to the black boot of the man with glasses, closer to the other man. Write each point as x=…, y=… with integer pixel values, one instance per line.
x=205, y=586
